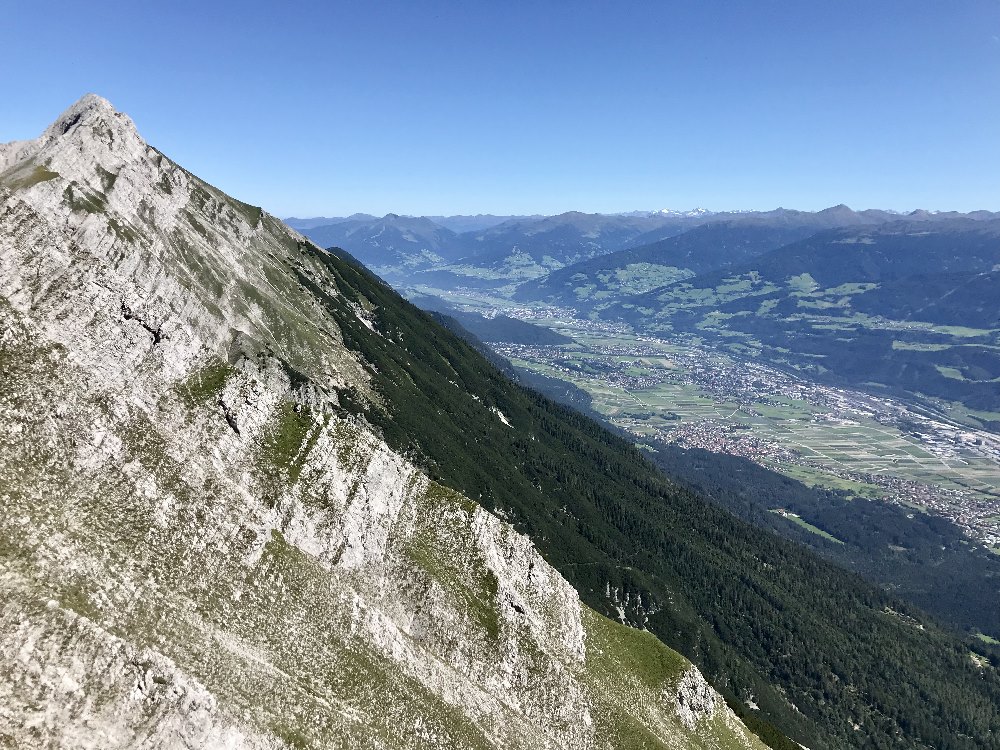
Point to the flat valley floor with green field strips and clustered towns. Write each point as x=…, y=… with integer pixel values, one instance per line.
x=682, y=390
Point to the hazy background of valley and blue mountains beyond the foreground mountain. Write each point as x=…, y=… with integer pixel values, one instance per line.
x=856, y=352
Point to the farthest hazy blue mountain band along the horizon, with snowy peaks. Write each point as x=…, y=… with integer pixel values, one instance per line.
x=497, y=251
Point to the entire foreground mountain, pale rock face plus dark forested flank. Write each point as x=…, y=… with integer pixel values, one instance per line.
x=317, y=454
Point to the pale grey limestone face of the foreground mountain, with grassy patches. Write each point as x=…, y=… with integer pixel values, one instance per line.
x=199, y=547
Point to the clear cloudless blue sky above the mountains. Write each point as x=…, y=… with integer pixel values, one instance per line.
x=327, y=108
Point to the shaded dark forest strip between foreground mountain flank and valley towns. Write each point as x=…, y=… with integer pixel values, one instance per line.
x=923, y=558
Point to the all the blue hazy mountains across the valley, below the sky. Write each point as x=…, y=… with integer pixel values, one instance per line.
x=915, y=294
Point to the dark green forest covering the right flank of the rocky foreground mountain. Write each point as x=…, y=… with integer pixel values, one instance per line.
x=828, y=658
